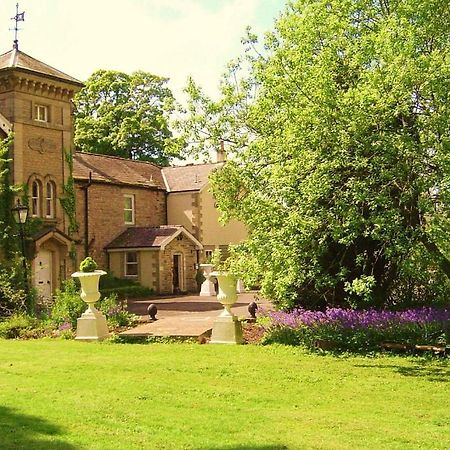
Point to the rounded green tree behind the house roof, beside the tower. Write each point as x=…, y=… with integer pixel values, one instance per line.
x=124, y=115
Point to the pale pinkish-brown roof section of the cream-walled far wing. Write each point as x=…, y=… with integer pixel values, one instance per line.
x=187, y=178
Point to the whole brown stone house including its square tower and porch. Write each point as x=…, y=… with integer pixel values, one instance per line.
x=138, y=220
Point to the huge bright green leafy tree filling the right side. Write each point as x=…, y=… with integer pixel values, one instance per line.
x=341, y=148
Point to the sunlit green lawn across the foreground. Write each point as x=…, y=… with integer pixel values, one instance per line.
x=71, y=395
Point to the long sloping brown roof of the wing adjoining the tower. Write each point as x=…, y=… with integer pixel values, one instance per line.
x=115, y=170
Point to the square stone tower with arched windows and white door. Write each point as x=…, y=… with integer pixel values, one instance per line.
x=35, y=103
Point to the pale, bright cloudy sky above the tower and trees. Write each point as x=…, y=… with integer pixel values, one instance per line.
x=170, y=38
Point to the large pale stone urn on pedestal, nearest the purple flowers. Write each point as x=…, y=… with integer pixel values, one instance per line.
x=227, y=328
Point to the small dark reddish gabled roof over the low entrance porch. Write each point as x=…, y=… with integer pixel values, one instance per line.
x=147, y=237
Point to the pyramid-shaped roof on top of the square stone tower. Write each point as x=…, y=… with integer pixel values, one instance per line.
x=15, y=59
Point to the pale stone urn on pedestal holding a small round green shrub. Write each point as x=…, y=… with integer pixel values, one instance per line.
x=91, y=326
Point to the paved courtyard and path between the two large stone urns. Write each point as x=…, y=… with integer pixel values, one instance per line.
x=185, y=316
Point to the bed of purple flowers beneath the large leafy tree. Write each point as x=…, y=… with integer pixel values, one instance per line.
x=347, y=329
